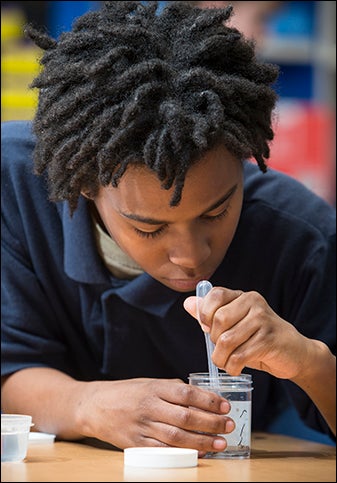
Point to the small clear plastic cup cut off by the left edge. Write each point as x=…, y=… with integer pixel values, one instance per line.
x=15, y=430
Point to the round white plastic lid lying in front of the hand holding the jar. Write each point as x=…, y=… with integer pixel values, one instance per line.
x=153, y=457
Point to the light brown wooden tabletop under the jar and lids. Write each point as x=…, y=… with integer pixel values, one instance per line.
x=274, y=458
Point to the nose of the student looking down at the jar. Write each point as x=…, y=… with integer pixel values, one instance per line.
x=189, y=249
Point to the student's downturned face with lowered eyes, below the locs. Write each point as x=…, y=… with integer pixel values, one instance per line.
x=178, y=246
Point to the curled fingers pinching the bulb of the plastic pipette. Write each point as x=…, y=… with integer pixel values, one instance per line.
x=238, y=322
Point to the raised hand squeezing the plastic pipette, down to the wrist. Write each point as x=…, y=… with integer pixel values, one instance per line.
x=248, y=333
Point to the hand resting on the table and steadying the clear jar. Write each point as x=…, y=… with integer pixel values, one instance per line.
x=154, y=412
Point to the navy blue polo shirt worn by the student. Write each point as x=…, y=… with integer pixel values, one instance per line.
x=62, y=308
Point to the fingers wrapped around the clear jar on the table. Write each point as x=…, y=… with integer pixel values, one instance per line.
x=183, y=415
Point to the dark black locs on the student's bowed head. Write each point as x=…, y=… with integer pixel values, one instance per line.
x=132, y=84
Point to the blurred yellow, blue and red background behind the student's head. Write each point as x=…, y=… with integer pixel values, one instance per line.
x=300, y=36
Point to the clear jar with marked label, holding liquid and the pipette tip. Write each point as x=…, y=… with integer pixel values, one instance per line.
x=238, y=391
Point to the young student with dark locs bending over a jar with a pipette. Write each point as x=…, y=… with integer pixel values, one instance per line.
x=143, y=172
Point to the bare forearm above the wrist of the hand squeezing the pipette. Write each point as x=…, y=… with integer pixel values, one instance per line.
x=318, y=380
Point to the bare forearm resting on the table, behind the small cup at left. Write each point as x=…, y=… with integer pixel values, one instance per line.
x=49, y=396
